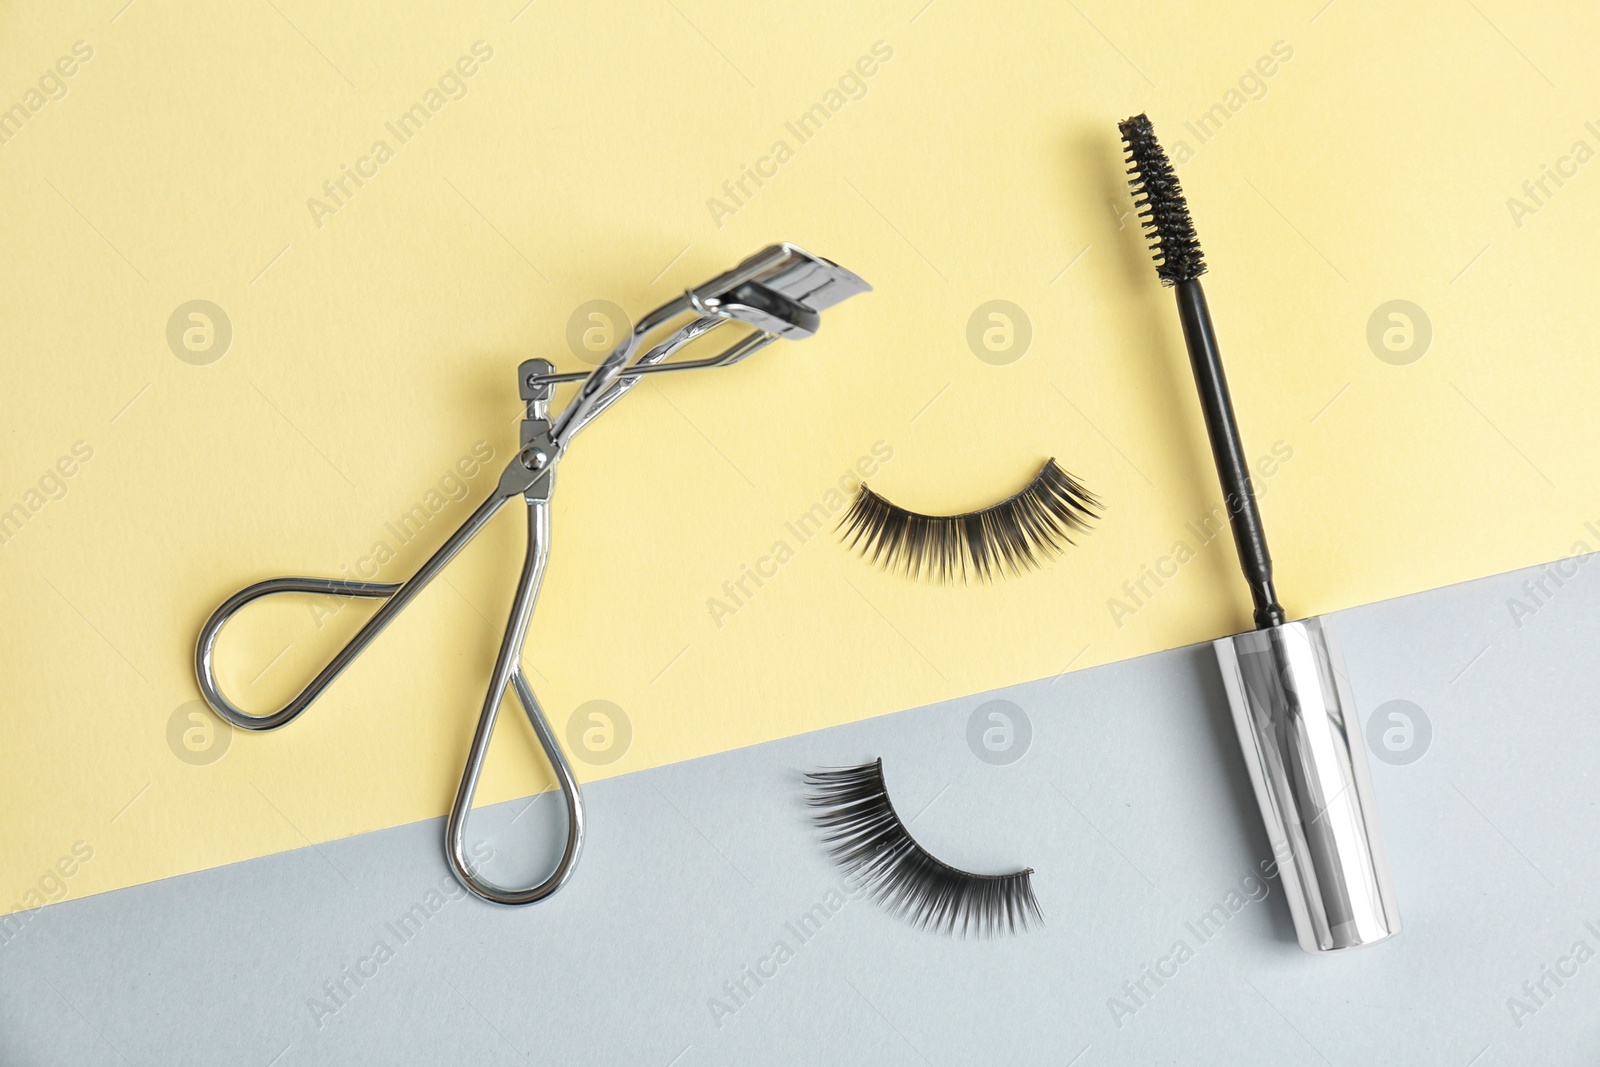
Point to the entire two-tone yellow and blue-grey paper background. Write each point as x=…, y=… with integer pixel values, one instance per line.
x=260, y=322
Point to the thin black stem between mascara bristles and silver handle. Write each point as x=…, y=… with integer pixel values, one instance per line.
x=1233, y=470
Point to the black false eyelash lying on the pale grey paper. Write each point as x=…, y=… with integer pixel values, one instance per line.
x=874, y=847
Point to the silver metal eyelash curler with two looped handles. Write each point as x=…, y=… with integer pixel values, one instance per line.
x=778, y=294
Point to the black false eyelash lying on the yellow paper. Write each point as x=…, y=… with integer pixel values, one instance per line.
x=1022, y=530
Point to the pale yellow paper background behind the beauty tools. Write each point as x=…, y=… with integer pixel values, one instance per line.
x=374, y=351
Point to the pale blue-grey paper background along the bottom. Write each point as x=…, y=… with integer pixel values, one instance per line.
x=1129, y=799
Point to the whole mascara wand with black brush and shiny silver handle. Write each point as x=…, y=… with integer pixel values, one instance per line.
x=1286, y=682
